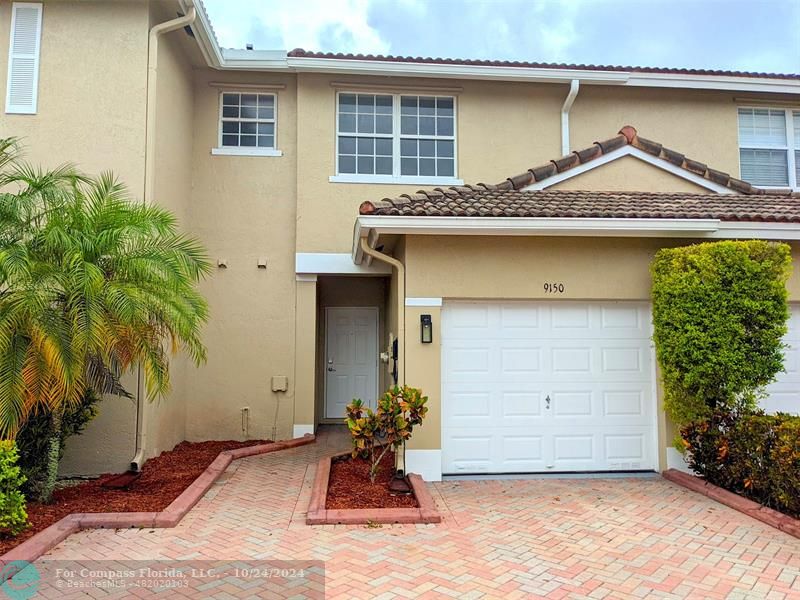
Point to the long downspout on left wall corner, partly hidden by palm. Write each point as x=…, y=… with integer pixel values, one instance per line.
x=149, y=191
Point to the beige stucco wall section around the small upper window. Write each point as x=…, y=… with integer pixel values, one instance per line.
x=242, y=209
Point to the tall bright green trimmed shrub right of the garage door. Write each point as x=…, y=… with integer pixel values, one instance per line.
x=719, y=315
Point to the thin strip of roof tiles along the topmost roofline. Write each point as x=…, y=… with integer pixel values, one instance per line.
x=301, y=53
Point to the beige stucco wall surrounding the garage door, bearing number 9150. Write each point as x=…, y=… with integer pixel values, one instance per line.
x=501, y=268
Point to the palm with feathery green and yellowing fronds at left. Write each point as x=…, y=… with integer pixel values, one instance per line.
x=92, y=284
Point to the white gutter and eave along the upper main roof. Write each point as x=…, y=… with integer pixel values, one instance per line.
x=278, y=60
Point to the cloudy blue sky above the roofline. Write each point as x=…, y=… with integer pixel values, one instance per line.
x=751, y=35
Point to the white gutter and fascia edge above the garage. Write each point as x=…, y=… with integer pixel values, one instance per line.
x=372, y=227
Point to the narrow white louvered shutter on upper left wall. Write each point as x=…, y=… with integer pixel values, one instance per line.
x=23, y=58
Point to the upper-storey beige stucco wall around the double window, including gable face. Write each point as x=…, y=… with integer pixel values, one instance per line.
x=504, y=129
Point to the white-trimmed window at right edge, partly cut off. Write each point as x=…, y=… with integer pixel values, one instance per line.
x=769, y=146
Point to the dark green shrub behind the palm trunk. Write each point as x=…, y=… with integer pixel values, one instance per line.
x=33, y=440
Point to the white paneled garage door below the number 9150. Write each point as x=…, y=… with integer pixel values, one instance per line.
x=546, y=387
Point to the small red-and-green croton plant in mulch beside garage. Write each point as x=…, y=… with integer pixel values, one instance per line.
x=373, y=434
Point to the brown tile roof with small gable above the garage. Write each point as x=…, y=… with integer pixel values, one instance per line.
x=508, y=199
